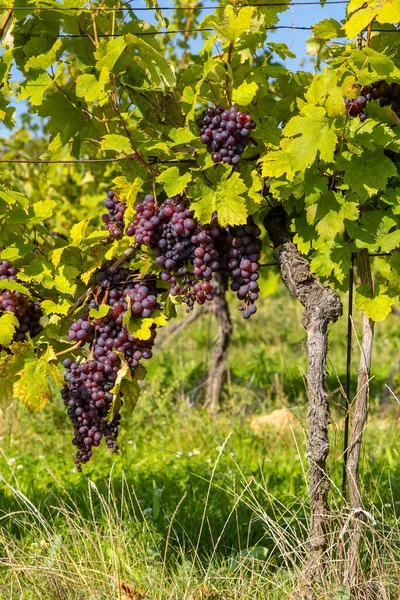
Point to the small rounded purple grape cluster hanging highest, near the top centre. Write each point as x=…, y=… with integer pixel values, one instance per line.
x=225, y=132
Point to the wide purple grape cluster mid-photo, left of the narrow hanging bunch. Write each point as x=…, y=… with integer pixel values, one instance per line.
x=178, y=241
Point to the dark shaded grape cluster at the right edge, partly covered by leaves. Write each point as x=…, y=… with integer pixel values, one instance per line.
x=387, y=94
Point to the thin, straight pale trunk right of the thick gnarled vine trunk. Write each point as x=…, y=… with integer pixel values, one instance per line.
x=359, y=419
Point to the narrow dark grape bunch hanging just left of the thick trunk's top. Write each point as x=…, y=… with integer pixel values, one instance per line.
x=243, y=258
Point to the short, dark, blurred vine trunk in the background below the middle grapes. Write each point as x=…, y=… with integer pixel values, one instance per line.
x=215, y=377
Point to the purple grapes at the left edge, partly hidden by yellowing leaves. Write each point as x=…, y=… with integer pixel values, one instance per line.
x=27, y=312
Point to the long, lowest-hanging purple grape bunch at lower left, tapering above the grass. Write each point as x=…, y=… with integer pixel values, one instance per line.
x=87, y=392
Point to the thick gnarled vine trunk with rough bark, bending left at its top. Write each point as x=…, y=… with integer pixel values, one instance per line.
x=322, y=306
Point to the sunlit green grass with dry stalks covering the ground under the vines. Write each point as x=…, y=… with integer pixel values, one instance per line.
x=193, y=509
